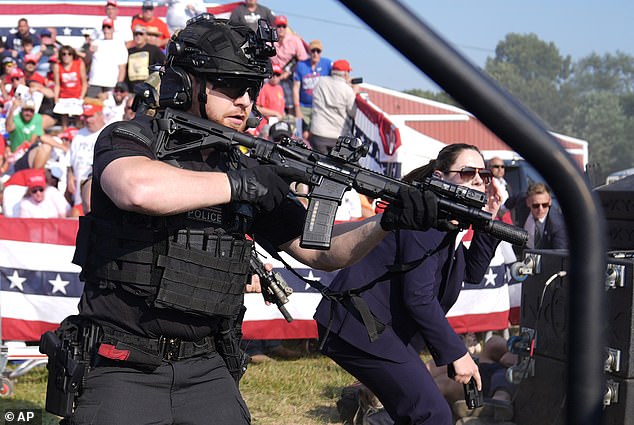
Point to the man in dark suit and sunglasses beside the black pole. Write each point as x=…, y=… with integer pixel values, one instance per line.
x=545, y=225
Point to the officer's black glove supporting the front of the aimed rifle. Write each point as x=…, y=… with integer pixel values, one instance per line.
x=416, y=211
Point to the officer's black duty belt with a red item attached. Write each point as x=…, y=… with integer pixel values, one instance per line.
x=117, y=345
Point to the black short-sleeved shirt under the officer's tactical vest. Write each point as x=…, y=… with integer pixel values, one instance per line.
x=131, y=313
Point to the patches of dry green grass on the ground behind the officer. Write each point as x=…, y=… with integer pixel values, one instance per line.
x=284, y=392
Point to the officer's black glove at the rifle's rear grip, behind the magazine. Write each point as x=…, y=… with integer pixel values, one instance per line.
x=262, y=186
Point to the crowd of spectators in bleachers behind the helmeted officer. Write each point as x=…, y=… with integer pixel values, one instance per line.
x=56, y=98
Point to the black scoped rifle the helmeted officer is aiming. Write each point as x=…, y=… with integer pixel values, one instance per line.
x=328, y=176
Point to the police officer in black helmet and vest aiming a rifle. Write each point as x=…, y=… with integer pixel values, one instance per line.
x=164, y=254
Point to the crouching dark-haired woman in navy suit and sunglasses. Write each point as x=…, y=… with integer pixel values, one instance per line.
x=413, y=305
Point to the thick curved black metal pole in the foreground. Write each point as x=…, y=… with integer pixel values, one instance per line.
x=525, y=134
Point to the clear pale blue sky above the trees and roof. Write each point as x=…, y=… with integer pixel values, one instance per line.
x=474, y=27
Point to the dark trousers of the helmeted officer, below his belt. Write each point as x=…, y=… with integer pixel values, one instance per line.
x=192, y=391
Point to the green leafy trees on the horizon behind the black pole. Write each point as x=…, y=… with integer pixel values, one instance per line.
x=592, y=99
